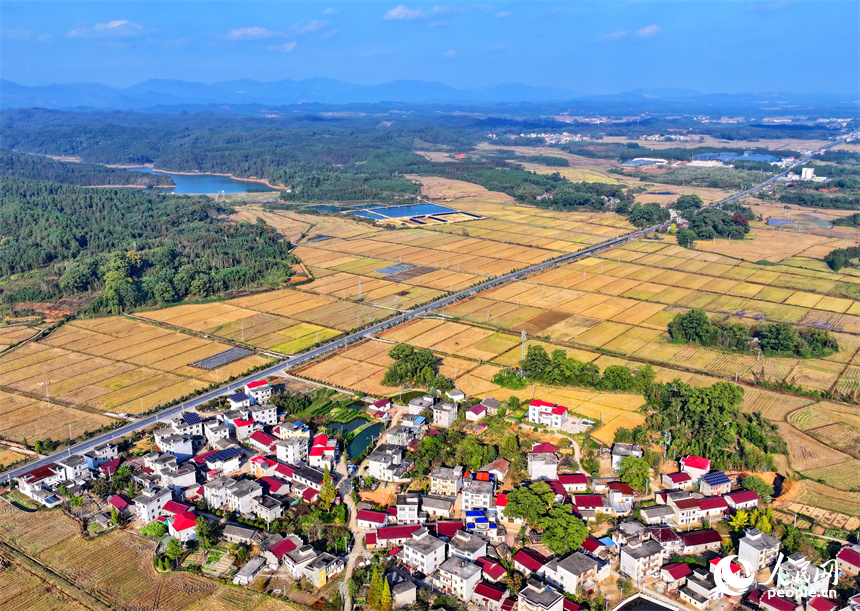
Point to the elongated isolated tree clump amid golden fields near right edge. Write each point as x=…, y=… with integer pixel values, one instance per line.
x=774, y=339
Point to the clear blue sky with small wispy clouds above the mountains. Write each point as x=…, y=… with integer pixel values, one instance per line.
x=586, y=47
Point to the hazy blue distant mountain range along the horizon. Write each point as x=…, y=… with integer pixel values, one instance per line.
x=163, y=93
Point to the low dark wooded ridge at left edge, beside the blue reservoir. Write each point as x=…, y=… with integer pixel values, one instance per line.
x=37, y=167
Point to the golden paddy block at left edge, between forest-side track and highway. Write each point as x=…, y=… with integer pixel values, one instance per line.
x=88, y=368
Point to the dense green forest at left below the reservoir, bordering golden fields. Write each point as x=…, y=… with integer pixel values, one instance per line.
x=127, y=248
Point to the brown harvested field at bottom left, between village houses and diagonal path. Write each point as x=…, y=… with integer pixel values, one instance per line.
x=117, y=567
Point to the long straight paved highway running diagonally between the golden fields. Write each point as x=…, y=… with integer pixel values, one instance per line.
x=353, y=337
